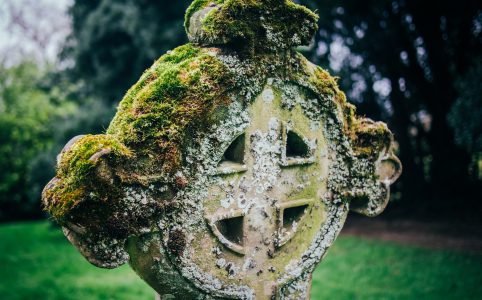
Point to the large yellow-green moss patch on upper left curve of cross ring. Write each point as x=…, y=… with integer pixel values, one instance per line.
x=179, y=92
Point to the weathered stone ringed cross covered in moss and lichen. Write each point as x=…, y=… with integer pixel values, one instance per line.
x=230, y=167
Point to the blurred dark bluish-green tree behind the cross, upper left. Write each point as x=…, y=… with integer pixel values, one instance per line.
x=113, y=42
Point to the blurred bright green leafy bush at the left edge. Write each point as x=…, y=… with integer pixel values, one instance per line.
x=27, y=129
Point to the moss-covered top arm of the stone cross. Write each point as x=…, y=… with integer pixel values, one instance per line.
x=254, y=25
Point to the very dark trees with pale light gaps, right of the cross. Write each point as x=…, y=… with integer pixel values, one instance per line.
x=401, y=60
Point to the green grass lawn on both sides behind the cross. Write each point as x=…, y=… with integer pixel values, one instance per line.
x=37, y=262
